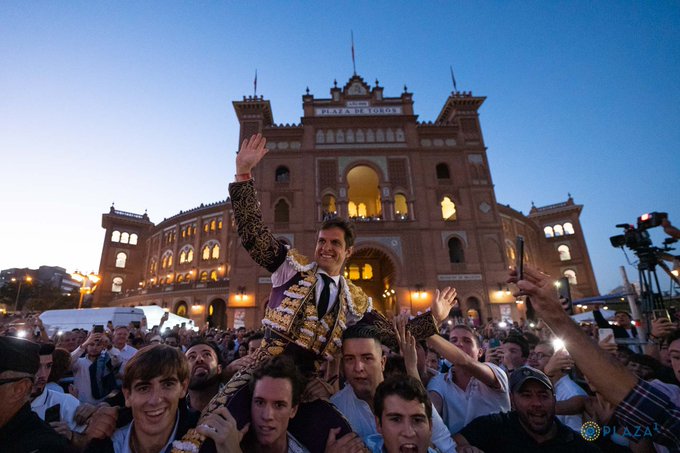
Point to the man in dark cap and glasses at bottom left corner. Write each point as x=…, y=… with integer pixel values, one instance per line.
x=21, y=430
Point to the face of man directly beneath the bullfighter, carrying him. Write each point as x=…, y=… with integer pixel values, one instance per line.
x=363, y=365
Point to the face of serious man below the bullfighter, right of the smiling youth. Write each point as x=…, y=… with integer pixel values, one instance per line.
x=271, y=409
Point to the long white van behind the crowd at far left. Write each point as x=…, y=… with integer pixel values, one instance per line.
x=86, y=318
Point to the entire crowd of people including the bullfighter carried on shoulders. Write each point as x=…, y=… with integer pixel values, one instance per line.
x=326, y=373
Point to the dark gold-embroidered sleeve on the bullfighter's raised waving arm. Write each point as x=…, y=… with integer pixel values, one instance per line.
x=256, y=238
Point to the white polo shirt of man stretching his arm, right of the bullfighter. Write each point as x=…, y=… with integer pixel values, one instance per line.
x=461, y=406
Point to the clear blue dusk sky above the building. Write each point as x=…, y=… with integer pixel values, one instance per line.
x=130, y=102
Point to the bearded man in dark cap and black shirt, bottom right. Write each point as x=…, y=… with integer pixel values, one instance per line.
x=531, y=426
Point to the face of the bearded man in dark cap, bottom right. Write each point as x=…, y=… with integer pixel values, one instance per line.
x=535, y=406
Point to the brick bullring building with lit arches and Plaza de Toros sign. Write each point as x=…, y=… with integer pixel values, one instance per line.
x=420, y=192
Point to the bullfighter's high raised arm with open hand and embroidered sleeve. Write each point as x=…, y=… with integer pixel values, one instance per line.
x=256, y=238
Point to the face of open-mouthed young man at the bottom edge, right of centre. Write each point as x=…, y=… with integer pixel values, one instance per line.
x=404, y=425
